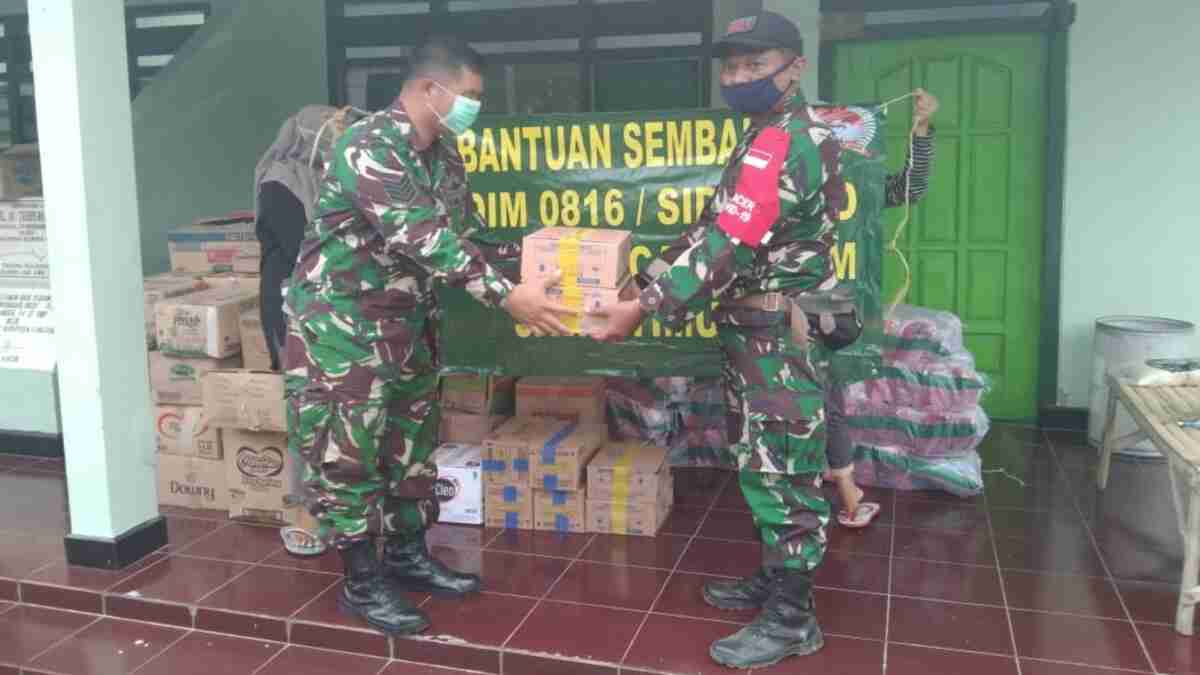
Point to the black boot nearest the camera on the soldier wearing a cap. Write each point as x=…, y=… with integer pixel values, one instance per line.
x=787, y=626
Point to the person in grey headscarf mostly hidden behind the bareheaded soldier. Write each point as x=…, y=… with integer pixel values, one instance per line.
x=286, y=181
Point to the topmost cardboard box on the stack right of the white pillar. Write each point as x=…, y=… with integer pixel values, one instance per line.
x=215, y=246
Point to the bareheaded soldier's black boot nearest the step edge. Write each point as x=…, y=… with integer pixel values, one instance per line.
x=371, y=596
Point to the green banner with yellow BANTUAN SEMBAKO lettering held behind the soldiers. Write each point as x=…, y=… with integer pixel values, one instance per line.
x=652, y=175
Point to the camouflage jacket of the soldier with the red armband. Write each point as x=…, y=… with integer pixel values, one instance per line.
x=706, y=265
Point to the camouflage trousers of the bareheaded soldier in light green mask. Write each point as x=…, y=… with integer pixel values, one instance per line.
x=364, y=432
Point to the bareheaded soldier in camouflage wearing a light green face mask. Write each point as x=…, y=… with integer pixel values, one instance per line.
x=393, y=220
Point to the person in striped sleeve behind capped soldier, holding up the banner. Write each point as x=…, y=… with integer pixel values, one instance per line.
x=908, y=187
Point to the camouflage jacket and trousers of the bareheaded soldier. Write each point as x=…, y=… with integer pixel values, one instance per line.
x=362, y=362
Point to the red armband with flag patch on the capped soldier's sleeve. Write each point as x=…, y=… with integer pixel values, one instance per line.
x=754, y=208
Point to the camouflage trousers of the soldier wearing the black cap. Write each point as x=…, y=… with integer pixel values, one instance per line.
x=777, y=433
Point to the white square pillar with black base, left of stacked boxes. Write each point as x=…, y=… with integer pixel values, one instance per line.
x=82, y=88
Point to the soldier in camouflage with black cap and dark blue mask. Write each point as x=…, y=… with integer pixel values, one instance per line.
x=776, y=403
